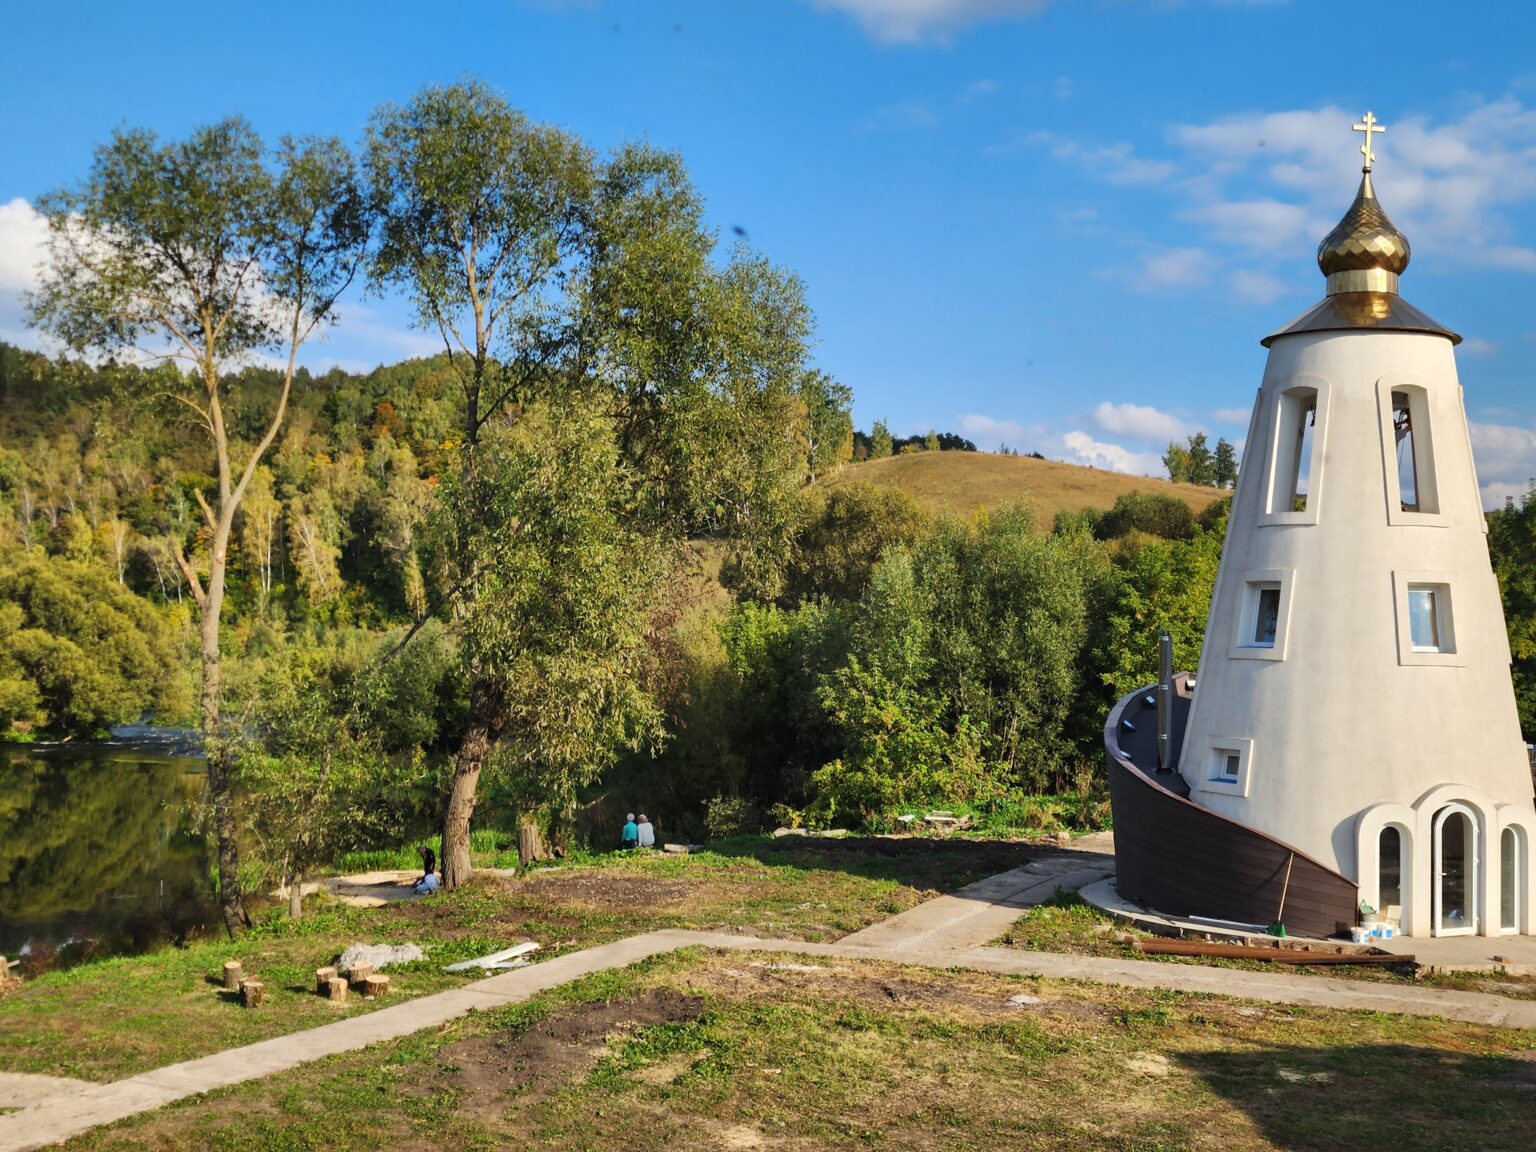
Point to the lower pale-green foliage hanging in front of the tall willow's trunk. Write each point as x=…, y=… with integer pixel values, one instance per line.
x=557, y=627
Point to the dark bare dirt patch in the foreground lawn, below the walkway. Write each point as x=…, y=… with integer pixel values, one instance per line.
x=555, y=1051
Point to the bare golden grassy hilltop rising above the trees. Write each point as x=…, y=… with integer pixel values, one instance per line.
x=965, y=482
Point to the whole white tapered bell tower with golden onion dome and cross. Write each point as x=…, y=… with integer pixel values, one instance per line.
x=1354, y=695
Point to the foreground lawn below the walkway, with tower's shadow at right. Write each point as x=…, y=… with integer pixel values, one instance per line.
x=707, y=1051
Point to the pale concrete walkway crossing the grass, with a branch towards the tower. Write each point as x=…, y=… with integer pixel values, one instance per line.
x=944, y=936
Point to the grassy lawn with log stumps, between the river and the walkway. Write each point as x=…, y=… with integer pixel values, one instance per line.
x=110, y=1019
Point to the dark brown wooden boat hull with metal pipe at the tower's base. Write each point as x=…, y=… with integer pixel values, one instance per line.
x=1179, y=858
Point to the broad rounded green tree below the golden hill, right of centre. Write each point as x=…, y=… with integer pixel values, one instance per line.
x=976, y=632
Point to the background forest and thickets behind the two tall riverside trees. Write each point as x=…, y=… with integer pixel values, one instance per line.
x=876, y=658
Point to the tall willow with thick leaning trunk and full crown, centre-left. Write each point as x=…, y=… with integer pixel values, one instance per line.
x=577, y=290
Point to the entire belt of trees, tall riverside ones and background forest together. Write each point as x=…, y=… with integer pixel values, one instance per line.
x=578, y=563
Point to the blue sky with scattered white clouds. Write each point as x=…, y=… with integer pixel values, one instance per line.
x=1050, y=223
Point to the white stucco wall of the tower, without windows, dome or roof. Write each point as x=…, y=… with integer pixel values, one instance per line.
x=1342, y=717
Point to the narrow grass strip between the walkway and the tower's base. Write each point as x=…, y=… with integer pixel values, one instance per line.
x=1068, y=924
